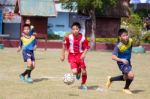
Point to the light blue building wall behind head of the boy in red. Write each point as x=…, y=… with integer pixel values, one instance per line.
x=60, y=24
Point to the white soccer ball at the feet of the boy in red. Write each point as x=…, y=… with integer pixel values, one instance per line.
x=69, y=78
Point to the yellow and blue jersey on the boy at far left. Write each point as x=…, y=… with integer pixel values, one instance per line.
x=28, y=43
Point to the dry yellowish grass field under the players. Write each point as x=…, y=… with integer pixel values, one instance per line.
x=49, y=71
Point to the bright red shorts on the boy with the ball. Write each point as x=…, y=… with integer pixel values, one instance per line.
x=76, y=62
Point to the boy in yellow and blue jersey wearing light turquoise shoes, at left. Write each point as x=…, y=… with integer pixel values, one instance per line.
x=28, y=45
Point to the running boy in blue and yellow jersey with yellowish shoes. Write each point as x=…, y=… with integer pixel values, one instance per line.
x=122, y=54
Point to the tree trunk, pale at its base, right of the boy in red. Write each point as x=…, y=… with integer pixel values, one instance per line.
x=93, y=31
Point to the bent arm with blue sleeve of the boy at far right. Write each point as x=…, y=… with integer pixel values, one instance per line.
x=116, y=58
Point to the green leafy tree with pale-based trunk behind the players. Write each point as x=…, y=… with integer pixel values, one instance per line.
x=90, y=8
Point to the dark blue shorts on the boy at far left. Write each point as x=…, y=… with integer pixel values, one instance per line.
x=28, y=54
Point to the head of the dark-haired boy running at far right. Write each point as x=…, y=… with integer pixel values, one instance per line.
x=123, y=35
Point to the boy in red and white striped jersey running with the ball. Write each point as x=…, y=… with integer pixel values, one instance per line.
x=77, y=47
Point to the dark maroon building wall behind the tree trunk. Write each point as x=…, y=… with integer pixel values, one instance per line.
x=105, y=27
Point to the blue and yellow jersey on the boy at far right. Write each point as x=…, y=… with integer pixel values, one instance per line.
x=123, y=50
